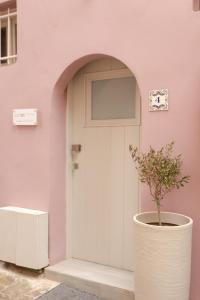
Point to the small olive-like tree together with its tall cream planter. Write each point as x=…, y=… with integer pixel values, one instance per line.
x=162, y=239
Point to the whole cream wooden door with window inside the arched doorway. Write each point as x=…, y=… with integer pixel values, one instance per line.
x=102, y=177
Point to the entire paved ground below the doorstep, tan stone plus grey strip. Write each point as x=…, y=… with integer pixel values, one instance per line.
x=21, y=284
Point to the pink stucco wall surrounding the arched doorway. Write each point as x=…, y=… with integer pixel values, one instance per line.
x=158, y=40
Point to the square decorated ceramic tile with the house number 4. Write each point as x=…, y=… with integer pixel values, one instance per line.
x=158, y=100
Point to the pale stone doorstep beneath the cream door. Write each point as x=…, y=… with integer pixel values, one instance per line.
x=103, y=281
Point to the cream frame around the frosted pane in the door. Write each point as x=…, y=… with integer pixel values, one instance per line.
x=122, y=73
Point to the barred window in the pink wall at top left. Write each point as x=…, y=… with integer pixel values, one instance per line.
x=8, y=33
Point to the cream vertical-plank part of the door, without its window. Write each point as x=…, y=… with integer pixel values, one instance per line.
x=104, y=187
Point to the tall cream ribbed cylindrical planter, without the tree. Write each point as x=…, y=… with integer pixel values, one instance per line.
x=162, y=257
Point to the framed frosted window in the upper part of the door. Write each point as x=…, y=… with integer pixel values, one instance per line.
x=111, y=99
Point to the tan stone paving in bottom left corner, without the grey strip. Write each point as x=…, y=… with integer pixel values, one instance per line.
x=20, y=284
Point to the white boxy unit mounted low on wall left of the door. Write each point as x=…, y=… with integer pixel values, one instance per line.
x=24, y=237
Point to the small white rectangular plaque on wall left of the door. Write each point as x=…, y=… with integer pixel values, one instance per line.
x=25, y=116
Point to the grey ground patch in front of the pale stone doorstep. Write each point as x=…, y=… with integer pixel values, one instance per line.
x=62, y=292
